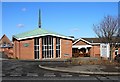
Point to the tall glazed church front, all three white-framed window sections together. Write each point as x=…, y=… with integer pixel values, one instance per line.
x=47, y=47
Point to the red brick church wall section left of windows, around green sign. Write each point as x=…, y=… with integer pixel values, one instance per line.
x=22, y=52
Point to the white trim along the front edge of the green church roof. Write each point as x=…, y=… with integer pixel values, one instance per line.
x=44, y=35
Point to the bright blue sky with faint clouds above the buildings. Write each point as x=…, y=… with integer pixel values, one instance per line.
x=67, y=18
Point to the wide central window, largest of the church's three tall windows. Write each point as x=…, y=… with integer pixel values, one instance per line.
x=47, y=47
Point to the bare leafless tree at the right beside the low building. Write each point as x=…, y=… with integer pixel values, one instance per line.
x=107, y=31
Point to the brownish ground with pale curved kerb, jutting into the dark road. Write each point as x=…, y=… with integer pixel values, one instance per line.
x=85, y=69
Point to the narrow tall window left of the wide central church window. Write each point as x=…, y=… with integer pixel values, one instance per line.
x=36, y=48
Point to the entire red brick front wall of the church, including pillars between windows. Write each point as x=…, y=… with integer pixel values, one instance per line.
x=22, y=52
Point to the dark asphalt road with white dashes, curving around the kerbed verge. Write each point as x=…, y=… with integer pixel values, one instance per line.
x=29, y=70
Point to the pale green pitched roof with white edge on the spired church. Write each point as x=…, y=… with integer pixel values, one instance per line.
x=37, y=33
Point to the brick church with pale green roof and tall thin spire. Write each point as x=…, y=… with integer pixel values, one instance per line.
x=41, y=44
